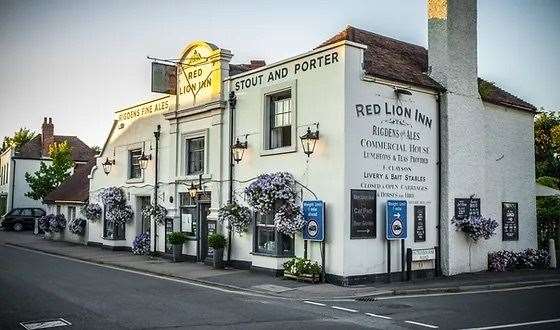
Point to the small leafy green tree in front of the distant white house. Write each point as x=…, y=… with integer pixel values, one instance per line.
x=48, y=177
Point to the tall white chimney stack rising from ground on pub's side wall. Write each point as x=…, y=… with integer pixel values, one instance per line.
x=452, y=48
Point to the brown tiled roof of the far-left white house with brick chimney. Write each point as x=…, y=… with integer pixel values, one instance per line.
x=80, y=151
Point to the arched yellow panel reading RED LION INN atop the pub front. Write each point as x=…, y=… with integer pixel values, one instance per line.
x=199, y=74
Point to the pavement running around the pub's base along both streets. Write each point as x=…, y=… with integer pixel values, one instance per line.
x=245, y=280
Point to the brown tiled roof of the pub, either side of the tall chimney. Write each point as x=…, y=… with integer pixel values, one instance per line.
x=400, y=61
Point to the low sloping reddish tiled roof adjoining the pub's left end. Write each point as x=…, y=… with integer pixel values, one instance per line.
x=76, y=188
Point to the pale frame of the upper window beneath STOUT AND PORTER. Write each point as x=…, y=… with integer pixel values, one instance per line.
x=266, y=117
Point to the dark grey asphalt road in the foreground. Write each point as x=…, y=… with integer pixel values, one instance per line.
x=37, y=286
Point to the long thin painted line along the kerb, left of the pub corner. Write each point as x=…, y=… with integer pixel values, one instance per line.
x=137, y=272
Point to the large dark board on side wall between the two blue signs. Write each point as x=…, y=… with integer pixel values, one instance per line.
x=363, y=213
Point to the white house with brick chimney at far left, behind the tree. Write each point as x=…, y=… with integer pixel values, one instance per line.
x=14, y=164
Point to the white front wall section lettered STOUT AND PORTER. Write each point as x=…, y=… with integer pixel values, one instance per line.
x=319, y=98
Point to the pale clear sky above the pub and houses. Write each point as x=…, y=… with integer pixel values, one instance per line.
x=80, y=61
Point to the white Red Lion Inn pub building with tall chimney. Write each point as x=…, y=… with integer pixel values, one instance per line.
x=391, y=121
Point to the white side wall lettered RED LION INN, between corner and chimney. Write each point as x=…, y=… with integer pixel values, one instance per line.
x=369, y=256
